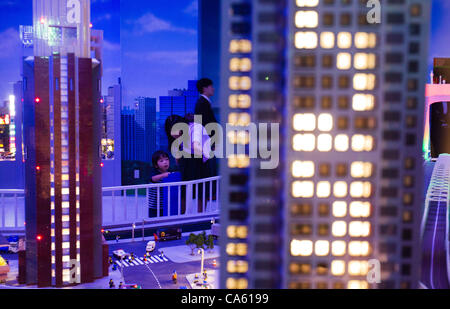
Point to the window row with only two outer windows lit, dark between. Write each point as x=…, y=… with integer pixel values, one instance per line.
x=305, y=169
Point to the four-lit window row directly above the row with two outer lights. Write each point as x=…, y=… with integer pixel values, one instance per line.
x=307, y=142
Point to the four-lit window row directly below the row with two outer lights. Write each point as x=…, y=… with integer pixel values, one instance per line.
x=305, y=189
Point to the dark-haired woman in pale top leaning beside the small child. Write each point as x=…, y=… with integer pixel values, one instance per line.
x=194, y=164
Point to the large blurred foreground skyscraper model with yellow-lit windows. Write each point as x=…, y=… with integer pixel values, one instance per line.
x=348, y=93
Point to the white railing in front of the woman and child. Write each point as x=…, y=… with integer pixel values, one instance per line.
x=175, y=201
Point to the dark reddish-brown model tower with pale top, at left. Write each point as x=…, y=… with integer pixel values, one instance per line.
x=62, y=141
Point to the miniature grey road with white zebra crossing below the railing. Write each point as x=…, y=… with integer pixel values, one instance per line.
x=156, y=273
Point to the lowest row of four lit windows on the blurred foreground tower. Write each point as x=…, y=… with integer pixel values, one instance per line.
x=325, y=247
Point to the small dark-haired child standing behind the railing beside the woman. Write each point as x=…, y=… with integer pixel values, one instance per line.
x=160, y=170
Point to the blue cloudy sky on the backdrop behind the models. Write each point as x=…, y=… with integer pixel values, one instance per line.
x=151, y=44
